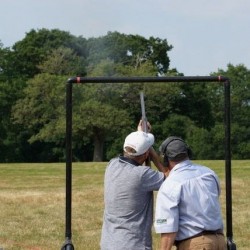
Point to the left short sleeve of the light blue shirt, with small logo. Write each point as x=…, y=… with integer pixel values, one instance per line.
x=167, y=211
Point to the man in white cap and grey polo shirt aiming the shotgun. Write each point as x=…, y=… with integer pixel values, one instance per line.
x=128, y=195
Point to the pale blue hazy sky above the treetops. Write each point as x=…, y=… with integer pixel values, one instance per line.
x=206, y=35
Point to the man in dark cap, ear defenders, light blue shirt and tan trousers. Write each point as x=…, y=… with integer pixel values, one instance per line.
x=188, y=212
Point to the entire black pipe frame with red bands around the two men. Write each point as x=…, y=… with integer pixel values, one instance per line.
x=229, y=229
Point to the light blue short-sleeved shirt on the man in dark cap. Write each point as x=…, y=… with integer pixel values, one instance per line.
x=188, y=201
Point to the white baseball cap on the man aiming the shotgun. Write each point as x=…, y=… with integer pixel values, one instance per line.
x=139, y=141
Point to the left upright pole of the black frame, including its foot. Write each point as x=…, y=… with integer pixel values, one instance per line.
x=68, y=244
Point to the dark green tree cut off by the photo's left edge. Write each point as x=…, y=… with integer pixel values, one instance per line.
x=11, y=86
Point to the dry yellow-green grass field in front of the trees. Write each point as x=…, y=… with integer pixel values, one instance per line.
x=32, y=205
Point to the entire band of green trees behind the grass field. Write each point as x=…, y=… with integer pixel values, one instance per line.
x=33, y=74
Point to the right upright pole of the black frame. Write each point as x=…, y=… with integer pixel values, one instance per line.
x=230, y=244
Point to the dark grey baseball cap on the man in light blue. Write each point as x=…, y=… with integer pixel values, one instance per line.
x=173, y=146
